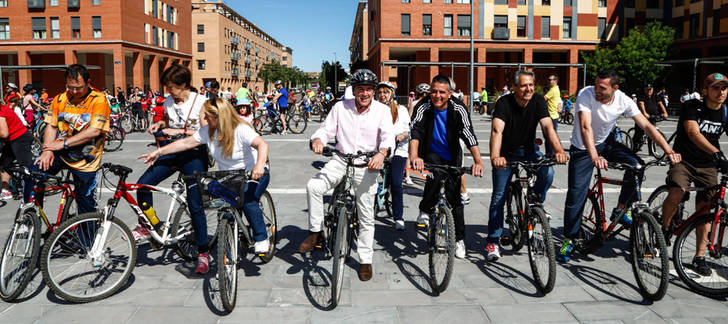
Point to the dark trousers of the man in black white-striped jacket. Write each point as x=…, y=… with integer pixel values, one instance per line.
x=431, y=196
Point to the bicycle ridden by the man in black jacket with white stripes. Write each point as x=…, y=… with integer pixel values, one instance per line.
x=441, y=229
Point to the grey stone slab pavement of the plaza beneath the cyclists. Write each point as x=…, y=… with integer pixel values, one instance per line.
x=294, y=289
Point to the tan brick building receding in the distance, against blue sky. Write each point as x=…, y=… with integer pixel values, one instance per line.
x=230, y=49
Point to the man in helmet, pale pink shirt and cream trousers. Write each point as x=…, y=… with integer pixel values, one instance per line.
x=362, y=125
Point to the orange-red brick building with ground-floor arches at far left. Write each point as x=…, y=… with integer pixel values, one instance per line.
x=131, y=40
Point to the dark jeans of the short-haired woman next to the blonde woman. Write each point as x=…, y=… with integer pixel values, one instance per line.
x=188, y=163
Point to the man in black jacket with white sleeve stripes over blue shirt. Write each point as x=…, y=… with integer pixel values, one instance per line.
x=436, y=128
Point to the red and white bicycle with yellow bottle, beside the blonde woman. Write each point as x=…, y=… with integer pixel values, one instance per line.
x=91, y=256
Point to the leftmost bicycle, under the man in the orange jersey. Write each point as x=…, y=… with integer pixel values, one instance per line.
x=21, y=249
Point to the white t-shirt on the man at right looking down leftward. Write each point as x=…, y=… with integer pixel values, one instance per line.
x=604, y=117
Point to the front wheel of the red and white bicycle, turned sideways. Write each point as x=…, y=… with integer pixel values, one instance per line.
x=61, y=243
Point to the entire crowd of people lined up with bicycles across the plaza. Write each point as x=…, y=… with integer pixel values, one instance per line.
x=191, y=126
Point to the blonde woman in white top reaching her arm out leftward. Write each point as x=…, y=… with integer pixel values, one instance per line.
x=234, y=145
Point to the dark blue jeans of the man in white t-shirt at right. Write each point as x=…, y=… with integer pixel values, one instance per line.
x=580, y=172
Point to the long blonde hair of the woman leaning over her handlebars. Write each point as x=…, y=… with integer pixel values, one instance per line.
x=228, y=120
